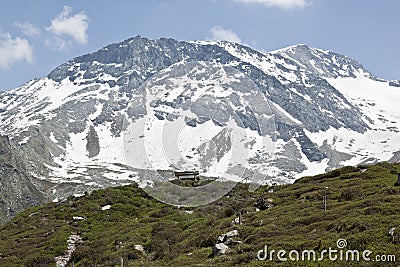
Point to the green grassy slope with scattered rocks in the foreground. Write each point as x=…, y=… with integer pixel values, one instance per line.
x=361, y=208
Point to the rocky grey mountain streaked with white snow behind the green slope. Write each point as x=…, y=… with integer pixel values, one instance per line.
x=108, y=117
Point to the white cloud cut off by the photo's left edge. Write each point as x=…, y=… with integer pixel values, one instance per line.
x=13, y=50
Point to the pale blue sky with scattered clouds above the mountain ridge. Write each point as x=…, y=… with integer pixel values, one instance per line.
x=38, y=35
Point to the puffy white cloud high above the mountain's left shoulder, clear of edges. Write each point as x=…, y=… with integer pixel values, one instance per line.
x=72, y=26
